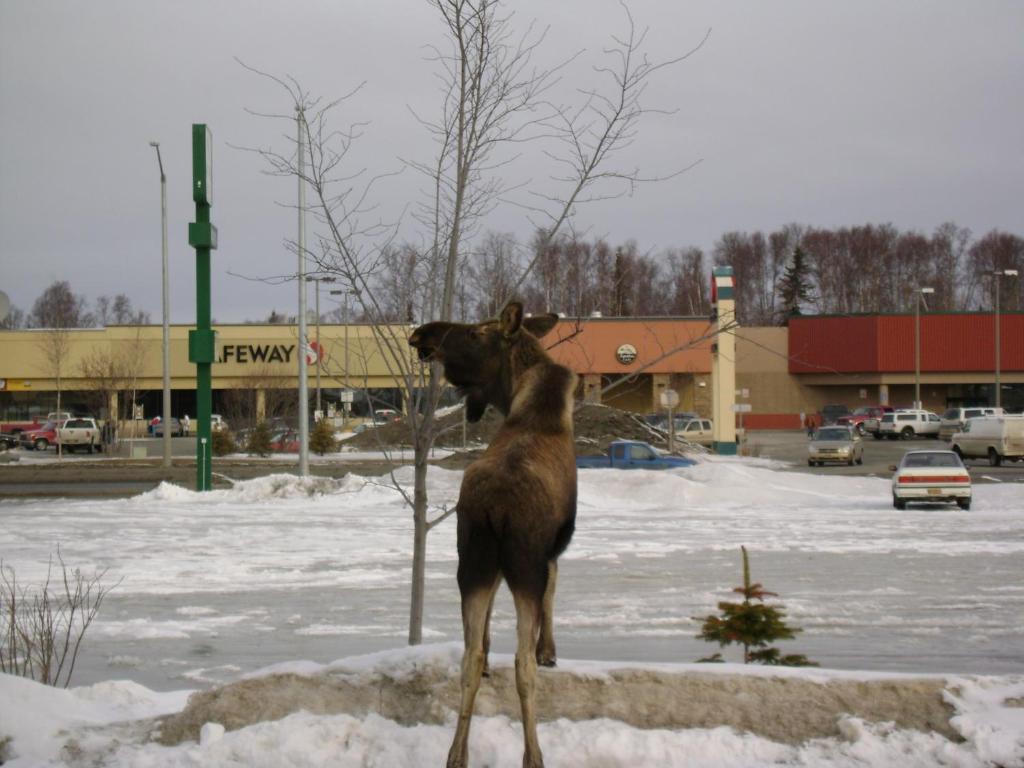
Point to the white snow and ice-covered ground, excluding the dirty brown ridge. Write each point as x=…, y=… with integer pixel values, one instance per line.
x=220, y=585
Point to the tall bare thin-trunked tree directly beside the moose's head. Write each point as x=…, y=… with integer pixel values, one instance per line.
x=493, y=99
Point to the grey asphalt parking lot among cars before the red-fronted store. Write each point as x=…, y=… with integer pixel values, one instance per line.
x=791, y=447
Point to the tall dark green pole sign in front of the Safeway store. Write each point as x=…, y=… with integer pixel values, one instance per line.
x=202, y=340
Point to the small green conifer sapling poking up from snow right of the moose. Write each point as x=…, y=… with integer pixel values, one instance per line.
x=753, y=625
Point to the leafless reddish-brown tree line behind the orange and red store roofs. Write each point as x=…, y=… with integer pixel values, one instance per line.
x=873, y=269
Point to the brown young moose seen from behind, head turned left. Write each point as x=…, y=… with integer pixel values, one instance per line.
x=517, y=509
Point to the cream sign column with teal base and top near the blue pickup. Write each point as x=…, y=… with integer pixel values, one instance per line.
x=723, y=366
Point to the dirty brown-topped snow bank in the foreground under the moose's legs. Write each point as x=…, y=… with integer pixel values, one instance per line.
x=396, y=709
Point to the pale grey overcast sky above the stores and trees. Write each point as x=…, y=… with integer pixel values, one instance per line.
x=826, y=114
